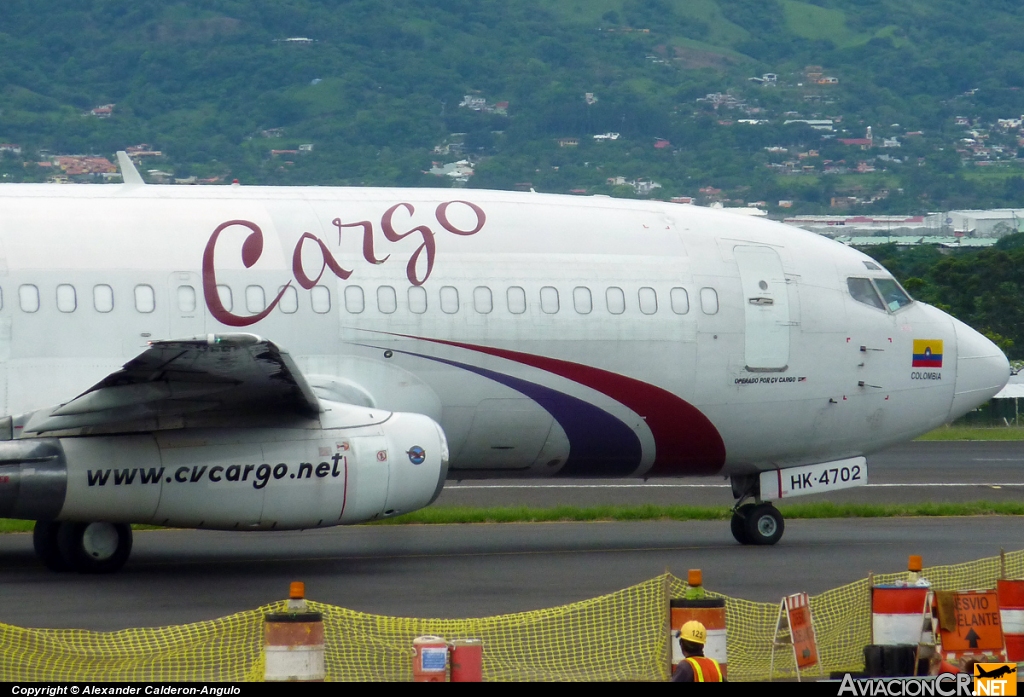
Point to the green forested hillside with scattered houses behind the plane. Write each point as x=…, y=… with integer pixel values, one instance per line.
x=371, y=90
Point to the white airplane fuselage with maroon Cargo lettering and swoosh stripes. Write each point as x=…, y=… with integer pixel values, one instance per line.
x=547, y=335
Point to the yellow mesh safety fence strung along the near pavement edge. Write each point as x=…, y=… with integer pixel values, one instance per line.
x=619, y=637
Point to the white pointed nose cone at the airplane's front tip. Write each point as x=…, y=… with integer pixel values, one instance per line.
x=983, y=371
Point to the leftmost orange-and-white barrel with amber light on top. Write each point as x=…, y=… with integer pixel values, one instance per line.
x=293, y=642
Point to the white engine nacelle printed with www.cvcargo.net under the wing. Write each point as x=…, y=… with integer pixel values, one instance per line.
x=234, y=480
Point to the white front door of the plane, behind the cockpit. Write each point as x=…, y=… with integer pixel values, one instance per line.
x=766, y=309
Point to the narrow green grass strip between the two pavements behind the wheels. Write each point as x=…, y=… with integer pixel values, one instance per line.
x=443, y=515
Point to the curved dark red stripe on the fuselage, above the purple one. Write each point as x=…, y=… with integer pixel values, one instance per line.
x=687, y=442
